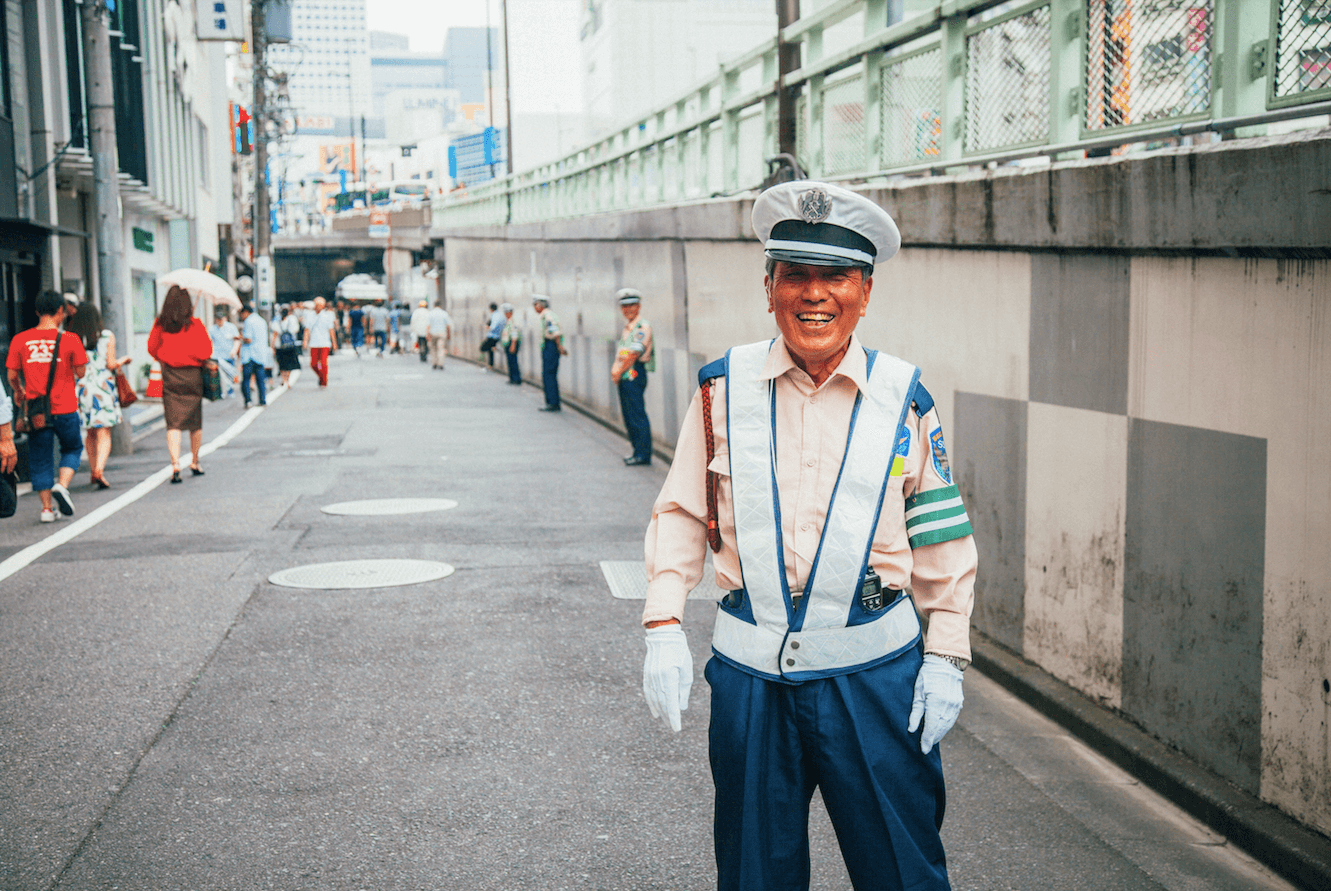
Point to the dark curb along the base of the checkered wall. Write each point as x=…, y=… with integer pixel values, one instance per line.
x=1288, y=848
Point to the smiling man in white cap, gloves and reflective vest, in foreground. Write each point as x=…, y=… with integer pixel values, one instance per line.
x=819, y=467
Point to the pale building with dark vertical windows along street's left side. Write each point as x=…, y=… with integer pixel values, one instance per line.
x=172, y=145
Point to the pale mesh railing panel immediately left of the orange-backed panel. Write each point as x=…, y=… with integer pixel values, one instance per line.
x=1008, y=83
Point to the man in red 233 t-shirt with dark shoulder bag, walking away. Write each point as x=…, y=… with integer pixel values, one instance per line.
x=29, y=367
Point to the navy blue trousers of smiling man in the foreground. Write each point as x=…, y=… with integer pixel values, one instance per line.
x=773, y=744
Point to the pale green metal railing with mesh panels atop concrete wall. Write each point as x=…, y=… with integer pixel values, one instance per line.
x=964, y=85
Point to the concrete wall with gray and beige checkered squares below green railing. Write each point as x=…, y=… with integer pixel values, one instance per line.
x=1133, y=363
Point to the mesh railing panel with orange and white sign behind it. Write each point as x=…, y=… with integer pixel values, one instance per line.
x=1148, y=61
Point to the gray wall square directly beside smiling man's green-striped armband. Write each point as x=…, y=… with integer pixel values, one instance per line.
x=991, y=452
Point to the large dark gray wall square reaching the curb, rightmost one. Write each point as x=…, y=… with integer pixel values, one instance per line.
x=1195, y=563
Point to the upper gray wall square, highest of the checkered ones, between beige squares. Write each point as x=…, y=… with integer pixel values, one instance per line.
x=1079, y=331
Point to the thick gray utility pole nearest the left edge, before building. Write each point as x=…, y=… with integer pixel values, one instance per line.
x=106, y=186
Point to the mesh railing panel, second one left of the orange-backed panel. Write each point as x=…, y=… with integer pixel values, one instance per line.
x=912, y=109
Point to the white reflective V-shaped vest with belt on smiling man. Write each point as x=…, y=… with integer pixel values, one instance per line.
x=829, y=633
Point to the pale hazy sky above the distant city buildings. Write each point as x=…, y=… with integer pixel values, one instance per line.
x=544, y=41
